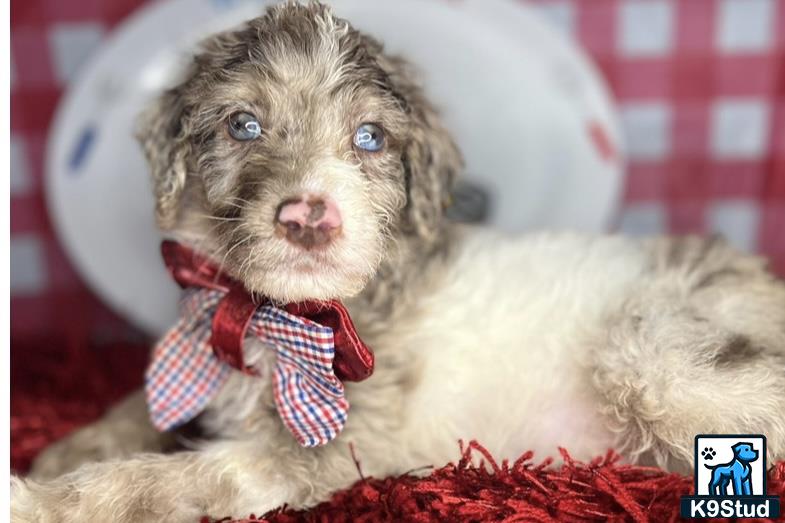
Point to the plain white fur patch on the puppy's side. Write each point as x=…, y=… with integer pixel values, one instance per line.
x=501, y=343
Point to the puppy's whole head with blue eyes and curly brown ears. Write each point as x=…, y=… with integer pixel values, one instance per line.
x=296, y=150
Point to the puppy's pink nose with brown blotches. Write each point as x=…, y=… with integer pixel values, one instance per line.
x=308, y=221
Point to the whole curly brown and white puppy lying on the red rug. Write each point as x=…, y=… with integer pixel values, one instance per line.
x=520, y=342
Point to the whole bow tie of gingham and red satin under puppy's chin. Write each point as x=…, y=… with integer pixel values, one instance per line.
x=315, y=343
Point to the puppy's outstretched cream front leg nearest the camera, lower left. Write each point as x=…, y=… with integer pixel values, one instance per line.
x=234, y=478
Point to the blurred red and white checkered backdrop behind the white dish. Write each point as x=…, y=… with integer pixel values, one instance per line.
x=700, y=84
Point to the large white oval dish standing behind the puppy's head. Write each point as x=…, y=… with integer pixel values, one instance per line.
x=518, y=97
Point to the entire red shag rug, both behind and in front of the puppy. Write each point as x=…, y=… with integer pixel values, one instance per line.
x=52, y=394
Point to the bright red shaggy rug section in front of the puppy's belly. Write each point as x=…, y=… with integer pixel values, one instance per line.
x=603, y=490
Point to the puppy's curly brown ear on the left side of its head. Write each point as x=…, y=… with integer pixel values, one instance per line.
x=163, y=134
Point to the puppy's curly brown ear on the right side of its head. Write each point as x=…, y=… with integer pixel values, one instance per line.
x=430, y=158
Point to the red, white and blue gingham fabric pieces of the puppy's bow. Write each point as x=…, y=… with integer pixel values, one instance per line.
x=184, y=373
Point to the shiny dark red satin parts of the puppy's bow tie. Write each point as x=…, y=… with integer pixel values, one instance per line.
x=353, y=359
